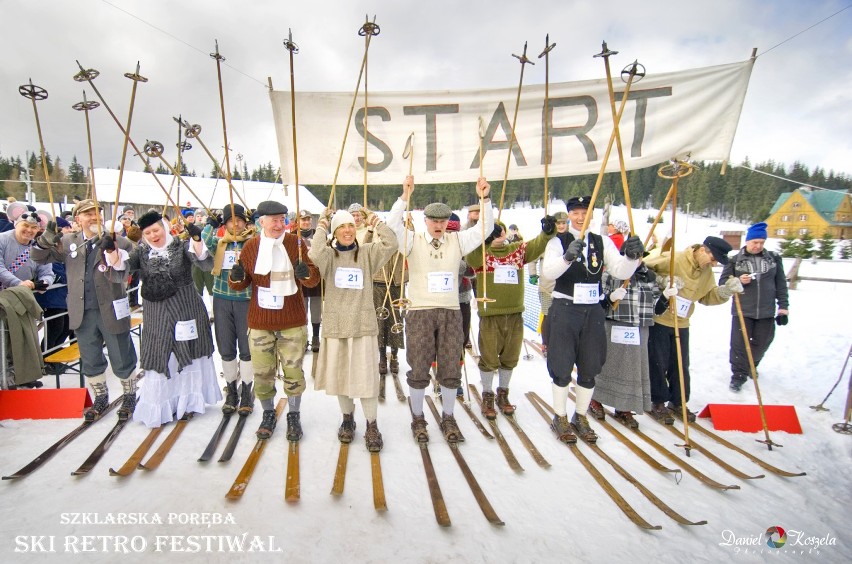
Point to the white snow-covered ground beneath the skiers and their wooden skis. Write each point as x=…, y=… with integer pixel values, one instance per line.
x=558, y=514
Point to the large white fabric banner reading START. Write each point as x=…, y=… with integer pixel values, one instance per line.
x=667, y=115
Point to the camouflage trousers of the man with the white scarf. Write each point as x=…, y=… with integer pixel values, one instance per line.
x=271, y=349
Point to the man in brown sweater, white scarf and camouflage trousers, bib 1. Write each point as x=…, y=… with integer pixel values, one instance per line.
x=276, y=271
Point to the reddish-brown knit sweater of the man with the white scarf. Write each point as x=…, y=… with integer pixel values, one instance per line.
x=293, y=313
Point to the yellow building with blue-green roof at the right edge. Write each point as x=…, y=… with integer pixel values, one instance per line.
x=811, y=212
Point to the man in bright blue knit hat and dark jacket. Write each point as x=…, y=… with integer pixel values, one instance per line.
x=764, y=285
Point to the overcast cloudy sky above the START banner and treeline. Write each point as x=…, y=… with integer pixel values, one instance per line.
x=798, y=106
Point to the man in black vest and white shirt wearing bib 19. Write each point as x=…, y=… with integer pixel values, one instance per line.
x=576, y=315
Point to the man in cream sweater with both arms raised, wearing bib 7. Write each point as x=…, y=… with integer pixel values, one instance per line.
x=433, y=325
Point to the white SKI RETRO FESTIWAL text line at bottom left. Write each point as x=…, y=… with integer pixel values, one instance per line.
x=122, y=544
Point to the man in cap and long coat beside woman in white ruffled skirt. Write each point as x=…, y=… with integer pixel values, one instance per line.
x=98, y=309
